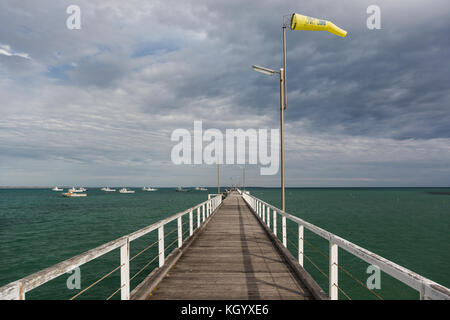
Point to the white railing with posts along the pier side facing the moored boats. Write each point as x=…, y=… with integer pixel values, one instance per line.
x=16, y=290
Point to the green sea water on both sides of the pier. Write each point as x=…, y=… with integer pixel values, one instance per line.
x=39, y=228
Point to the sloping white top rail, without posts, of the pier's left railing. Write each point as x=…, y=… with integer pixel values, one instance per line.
x=19, y=287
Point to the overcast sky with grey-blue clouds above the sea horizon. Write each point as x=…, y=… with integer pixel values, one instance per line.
x=97, y=106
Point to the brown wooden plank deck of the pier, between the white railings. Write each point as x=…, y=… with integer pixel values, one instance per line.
x=233, y=257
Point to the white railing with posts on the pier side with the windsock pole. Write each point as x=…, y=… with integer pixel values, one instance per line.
x=428, y=289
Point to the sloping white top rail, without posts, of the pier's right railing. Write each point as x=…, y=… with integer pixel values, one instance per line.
x=426, y=287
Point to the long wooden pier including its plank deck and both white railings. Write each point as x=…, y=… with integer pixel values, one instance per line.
x=229, y=247
